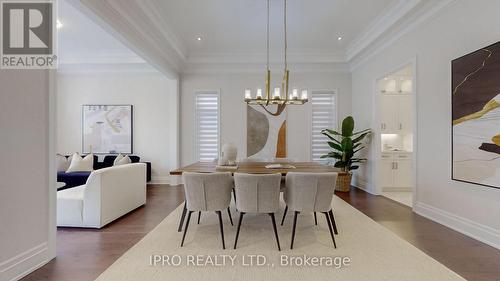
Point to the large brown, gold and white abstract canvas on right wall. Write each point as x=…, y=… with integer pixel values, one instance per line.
x=476, y=117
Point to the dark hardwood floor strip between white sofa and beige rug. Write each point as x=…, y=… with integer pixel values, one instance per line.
x=83, y=254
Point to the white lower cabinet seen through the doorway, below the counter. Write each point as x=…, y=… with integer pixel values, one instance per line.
x=396, y=171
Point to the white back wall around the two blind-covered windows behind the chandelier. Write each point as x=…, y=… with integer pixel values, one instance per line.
x=233, y=108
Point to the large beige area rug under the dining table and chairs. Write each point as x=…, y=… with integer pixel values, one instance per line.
x=374, y=252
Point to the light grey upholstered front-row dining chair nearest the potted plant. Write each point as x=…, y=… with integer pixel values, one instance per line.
x=310, y=192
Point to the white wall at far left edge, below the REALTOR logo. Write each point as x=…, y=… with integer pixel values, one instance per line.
x=25, y=242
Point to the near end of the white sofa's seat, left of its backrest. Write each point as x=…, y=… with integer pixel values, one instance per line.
x=70, y=206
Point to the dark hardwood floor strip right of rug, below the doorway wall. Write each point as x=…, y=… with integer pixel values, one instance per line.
x=469, y=258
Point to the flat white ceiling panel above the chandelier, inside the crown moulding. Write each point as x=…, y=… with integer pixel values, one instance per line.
x=239, y=26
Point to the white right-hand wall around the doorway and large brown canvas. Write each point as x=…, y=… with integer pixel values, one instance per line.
x=461, y=27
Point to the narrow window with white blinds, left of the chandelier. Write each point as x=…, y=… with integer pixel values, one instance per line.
x=206, y=126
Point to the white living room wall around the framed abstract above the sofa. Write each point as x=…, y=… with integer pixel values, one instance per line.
x=154, y=98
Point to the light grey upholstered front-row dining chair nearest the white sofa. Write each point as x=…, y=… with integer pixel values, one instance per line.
x=207, y=192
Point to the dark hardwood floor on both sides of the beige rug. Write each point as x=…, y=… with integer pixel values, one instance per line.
x=84, y=253
